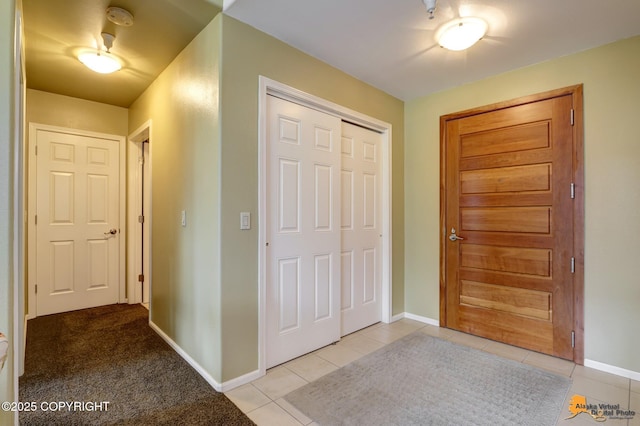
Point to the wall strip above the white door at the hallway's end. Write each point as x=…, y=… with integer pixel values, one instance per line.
x=64, y=111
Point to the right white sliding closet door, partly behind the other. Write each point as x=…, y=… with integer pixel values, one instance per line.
x=361, y=228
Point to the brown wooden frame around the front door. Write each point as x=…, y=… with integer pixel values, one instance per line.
x=576, y=93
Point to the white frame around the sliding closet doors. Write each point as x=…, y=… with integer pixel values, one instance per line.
x=267, y=87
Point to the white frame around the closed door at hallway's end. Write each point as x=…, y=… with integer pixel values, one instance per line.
x=32, y=208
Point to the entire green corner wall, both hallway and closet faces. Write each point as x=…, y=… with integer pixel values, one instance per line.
x=205, y=161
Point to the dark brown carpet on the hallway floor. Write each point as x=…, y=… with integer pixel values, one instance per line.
x=111, y=354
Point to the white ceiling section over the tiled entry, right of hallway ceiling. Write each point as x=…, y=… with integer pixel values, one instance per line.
x=390, y=43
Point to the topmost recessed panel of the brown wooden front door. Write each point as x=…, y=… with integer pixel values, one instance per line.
x=506, y=140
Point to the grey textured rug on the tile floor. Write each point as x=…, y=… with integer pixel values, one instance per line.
x=423, y=380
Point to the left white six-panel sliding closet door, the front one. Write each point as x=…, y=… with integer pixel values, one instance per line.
x=303, y=231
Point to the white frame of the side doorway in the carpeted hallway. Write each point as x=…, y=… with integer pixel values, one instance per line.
x=138, y=248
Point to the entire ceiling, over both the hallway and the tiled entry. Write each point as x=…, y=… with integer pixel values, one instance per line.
x=386, y=43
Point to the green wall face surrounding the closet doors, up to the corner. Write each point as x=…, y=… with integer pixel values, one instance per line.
x=248, y=53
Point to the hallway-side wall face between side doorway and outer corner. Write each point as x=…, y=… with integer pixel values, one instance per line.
x=182, y=104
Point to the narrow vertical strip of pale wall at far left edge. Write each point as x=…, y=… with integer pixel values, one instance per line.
x=7, y=129
